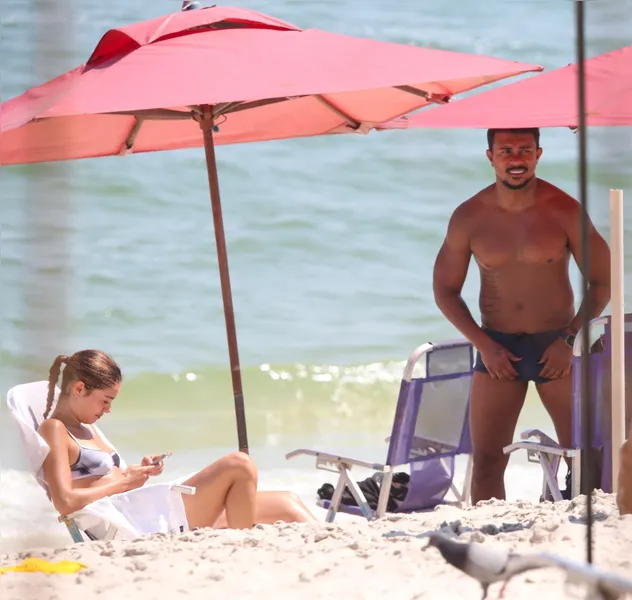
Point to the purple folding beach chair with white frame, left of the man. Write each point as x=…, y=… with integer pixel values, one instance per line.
x=430, y=429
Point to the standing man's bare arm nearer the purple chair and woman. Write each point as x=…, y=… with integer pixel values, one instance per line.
x=450, y=271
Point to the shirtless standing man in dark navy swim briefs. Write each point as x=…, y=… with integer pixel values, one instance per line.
x=522, y=231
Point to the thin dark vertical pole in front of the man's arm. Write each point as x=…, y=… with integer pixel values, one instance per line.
x=587, y=413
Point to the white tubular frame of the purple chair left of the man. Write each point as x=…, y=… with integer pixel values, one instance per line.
x=342, y=465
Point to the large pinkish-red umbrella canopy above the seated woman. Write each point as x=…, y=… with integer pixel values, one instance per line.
x=265, y=79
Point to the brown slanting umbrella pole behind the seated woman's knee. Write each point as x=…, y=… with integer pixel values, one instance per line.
x=206, y=124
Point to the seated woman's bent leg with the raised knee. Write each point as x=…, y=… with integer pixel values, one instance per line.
x=229, y=484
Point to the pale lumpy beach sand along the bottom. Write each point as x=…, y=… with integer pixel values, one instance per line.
x=351, y=559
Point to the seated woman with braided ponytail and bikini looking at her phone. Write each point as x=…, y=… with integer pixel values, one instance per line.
x=82, y=468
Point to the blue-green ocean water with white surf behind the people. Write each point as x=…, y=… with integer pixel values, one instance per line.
x=331, y=244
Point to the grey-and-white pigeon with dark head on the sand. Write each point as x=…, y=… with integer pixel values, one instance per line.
x=484, y=563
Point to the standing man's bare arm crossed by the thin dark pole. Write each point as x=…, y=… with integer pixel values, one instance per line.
x=598, y=273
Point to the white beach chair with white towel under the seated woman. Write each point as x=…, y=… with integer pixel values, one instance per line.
x=153, y=508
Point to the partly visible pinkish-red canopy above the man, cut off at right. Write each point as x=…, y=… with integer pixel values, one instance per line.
x=546, y=100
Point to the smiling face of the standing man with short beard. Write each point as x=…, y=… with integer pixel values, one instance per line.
x=514, y=157
